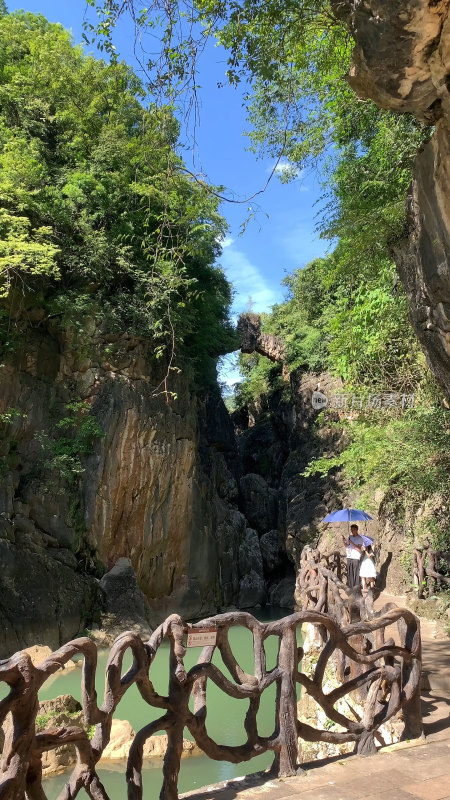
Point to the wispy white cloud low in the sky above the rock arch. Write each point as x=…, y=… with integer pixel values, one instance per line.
x=248, y=283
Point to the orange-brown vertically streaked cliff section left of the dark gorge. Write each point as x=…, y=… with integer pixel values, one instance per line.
x=156, y=491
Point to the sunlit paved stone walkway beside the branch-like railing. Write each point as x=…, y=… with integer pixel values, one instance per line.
x=416, y=770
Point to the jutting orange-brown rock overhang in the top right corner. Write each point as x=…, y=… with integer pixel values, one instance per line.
x=401, y=55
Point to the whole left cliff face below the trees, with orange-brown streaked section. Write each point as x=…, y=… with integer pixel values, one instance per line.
x=157, y=489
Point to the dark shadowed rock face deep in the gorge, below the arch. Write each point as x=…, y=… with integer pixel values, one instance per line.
x=276, y=442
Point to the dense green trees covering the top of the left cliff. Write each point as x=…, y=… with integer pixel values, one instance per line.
x=96, y=211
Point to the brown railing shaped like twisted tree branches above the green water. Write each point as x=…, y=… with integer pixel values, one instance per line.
x=389, y=673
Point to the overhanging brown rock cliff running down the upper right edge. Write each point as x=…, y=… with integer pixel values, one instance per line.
x=402, y=62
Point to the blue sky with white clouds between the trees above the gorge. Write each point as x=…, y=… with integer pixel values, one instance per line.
x=281, y=236
